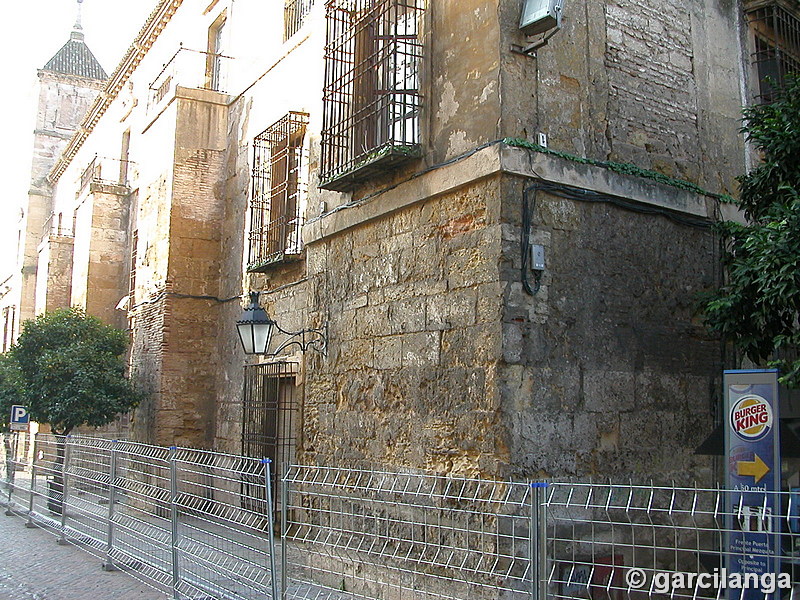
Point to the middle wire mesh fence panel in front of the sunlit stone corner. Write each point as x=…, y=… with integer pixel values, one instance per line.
x=386, y=535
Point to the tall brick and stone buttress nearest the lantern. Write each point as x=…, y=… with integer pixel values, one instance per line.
x=182, y=370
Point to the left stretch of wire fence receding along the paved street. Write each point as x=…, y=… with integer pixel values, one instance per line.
x=191, y=523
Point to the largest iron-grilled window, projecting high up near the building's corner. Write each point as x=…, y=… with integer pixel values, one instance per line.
x=371, y=98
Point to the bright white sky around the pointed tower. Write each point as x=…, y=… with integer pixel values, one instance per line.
x=34, y=31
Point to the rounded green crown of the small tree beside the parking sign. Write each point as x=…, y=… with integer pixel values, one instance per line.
x=70, y=370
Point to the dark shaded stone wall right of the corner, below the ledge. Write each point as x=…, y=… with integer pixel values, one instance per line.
x=605, y=370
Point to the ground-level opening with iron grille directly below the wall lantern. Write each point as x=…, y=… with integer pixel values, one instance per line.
x=269, y=421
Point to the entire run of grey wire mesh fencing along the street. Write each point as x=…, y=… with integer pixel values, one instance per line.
x=199, y=524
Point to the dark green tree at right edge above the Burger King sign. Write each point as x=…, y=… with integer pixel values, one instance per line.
x=757, y=308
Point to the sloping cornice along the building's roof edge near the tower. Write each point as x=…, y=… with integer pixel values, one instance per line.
x=152, y=28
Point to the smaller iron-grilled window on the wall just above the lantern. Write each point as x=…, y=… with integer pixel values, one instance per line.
x=276, y=205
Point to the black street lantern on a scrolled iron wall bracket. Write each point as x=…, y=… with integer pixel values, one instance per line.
x=255, y=329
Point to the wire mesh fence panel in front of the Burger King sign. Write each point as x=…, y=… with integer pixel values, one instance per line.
x=631, y=541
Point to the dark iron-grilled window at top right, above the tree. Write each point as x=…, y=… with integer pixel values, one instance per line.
x=776, y=46
